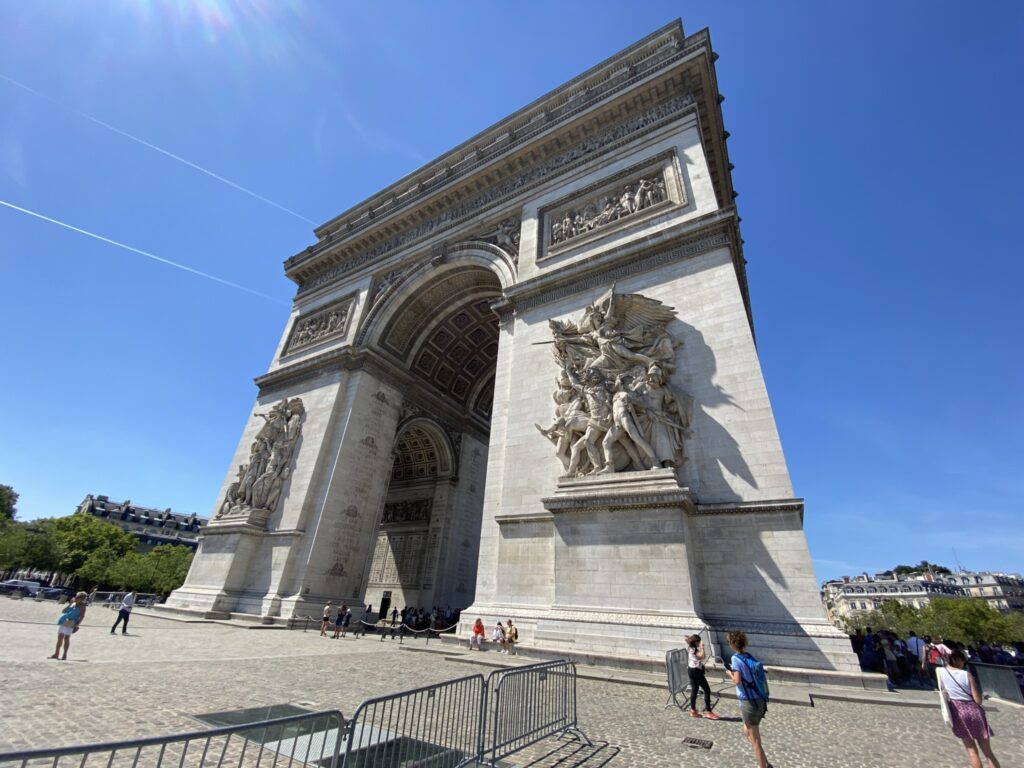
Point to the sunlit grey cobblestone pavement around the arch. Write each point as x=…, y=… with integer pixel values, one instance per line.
x=156, y=678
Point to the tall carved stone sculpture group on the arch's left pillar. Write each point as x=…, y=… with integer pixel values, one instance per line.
x=258, y=490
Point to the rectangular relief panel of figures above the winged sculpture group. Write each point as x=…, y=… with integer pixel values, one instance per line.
x=609, y=206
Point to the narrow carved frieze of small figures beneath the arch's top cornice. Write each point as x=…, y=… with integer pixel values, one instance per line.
x=574, y=157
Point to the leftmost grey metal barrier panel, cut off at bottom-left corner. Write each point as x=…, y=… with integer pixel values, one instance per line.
x=310, y=739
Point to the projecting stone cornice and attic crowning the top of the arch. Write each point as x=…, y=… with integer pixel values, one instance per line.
x=646, y=74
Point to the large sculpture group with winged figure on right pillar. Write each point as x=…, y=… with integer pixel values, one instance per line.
x=615, y=410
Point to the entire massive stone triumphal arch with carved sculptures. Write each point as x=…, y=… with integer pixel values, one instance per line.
x=523, y=381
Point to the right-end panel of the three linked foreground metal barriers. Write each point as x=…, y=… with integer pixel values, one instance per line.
x=529, y=705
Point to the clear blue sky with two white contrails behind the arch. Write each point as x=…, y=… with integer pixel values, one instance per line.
x=878, y=160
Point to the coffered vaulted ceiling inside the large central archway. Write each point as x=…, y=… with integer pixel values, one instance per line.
x=448, y=335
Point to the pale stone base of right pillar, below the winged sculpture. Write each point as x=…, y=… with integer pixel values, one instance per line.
x=639, y=565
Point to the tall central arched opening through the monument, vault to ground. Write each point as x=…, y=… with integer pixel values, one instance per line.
x=442, y=330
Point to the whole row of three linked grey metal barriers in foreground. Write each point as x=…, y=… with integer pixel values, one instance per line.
x=457, y=723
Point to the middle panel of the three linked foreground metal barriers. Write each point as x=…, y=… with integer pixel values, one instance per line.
x=437, y=726
